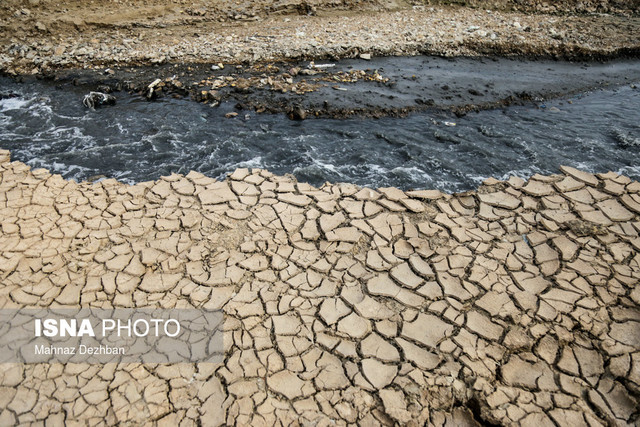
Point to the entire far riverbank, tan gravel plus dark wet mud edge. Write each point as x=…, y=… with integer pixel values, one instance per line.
x=330, y=62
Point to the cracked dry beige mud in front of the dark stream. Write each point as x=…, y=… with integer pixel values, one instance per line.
x=513, y=304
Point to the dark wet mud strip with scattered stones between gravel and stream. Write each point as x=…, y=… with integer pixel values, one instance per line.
x=376, y=87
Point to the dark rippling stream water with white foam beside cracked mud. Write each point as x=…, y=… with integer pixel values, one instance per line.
x=137, y=140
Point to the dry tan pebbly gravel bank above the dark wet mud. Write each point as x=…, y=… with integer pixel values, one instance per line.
x=43, y=39
